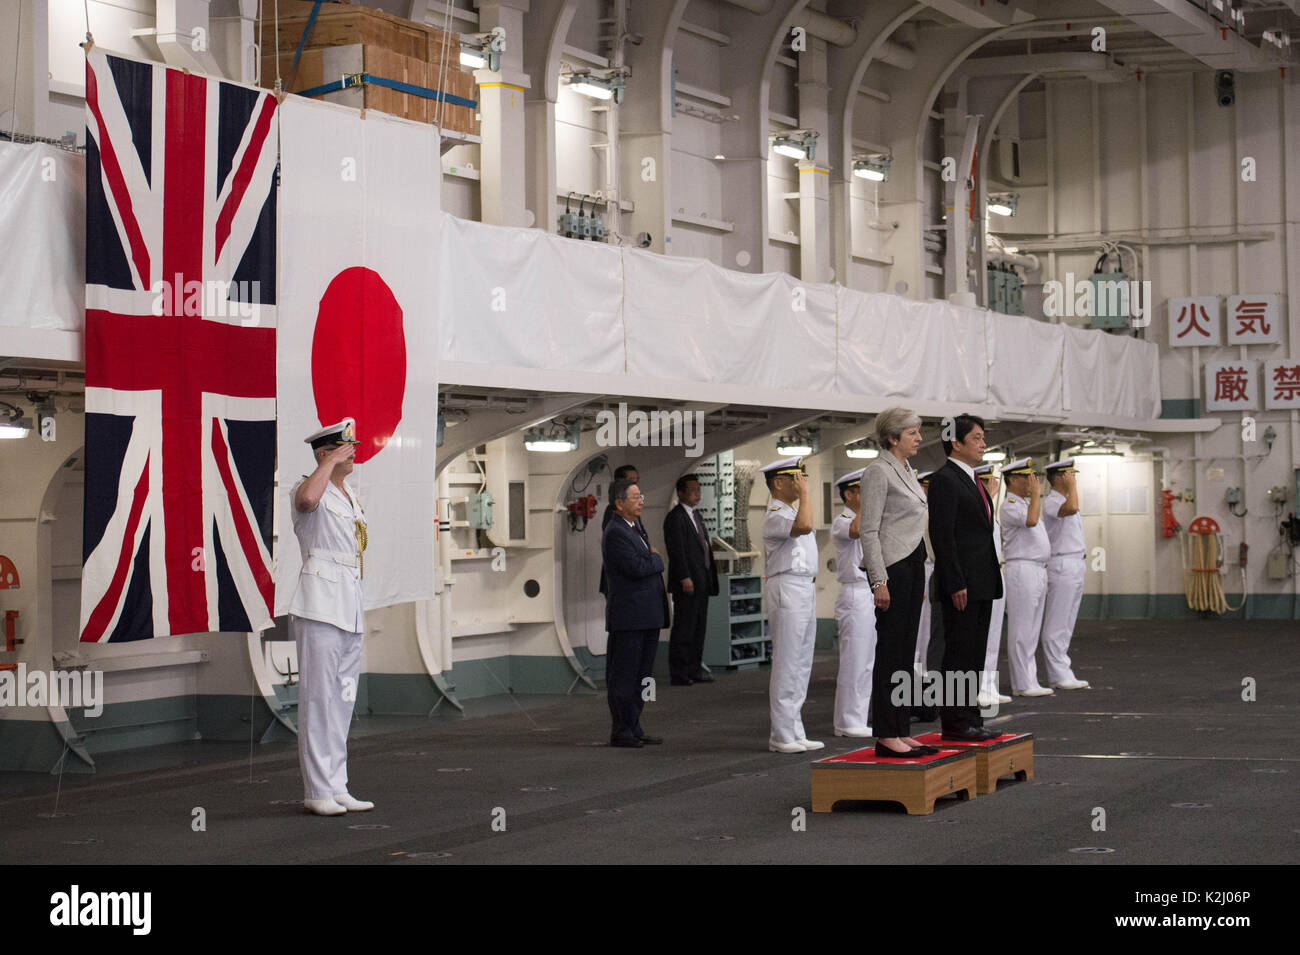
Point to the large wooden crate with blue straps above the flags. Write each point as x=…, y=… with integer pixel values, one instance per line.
x=391, y=47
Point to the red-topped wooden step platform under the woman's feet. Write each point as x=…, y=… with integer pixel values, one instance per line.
x=915, y=783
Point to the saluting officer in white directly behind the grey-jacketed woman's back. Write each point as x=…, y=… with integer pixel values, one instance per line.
x=855, y=615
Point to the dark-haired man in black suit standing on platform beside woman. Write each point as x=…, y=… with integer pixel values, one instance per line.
x=967, y=574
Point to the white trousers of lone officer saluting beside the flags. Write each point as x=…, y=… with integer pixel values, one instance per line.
x=330, y=663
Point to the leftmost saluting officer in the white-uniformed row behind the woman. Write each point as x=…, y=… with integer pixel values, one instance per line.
x=790, y=601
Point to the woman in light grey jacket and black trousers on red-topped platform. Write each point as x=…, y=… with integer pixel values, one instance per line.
x=894, y=557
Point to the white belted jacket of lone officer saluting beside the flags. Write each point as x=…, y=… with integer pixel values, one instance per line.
x=330, y=584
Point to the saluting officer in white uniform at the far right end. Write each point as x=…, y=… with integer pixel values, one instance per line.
x=1067, y=571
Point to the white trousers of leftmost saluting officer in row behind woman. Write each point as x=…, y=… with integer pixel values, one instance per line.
x=791, y=604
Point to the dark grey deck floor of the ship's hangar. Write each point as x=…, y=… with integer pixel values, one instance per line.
x=1185, y=770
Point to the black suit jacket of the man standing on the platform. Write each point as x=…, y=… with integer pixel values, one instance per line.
x=961, y=536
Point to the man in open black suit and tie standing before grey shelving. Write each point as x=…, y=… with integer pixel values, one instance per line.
x=692, y=579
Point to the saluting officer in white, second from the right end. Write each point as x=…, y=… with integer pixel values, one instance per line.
x=1025, y=542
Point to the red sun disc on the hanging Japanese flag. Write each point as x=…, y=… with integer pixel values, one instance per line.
x=359, y=358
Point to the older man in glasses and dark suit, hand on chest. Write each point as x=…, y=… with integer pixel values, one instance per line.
x=635, y=613
